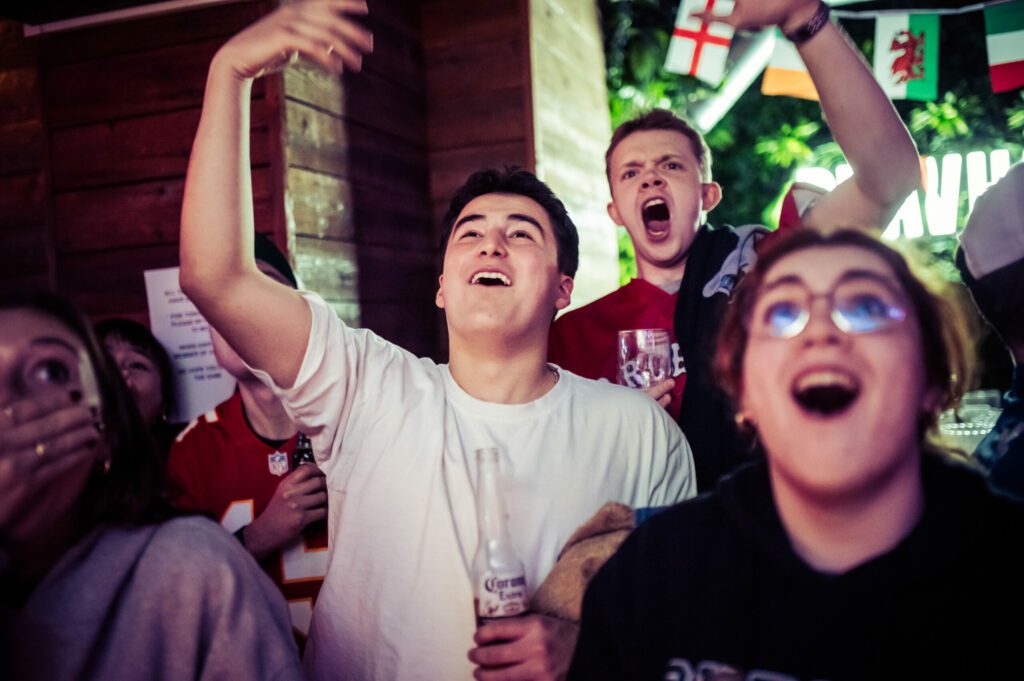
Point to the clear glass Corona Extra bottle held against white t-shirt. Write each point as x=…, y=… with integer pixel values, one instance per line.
x=499, y=576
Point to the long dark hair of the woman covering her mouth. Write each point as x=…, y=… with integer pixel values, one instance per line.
x=132, y=492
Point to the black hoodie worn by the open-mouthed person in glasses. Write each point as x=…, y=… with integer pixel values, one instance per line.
x=713, y=584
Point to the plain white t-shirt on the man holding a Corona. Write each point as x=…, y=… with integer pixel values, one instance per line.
x=397, y=439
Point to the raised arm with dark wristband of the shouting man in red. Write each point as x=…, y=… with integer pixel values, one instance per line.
x=862, y=119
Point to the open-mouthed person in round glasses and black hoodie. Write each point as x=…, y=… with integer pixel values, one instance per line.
x=856, y=549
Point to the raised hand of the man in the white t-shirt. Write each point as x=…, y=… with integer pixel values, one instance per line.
x=321, y=31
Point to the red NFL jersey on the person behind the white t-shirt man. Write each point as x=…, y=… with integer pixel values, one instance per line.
x=220, y=467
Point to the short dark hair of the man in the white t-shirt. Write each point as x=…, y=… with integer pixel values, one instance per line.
x=520, y=182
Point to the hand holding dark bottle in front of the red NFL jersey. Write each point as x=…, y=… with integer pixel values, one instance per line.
x=300, y=500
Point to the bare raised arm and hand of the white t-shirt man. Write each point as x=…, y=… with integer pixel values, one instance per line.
x=269, y=324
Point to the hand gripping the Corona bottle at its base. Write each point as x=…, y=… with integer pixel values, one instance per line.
x=532, y=648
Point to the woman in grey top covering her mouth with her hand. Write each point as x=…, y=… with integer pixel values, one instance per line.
x=99, y=578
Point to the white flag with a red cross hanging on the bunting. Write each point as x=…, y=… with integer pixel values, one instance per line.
x=699, y=49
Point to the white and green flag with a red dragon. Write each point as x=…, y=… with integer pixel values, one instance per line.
x=907, y=56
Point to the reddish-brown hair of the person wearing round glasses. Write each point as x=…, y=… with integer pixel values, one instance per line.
x=945, y=331
